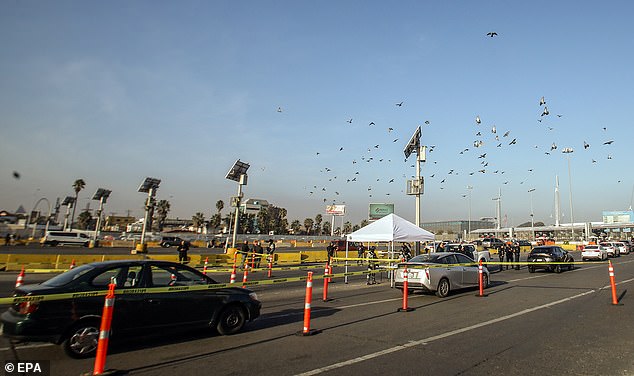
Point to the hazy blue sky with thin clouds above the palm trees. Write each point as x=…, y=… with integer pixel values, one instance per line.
x=112, y=92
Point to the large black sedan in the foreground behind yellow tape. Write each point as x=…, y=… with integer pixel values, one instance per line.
x=74, y=322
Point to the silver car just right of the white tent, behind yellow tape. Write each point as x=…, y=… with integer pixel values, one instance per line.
x=440, y=272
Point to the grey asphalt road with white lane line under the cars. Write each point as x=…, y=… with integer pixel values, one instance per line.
x=528, y=324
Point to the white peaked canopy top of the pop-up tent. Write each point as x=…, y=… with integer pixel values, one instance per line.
x=390, y=228
